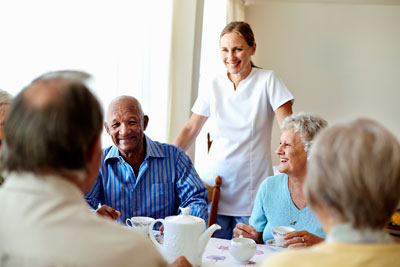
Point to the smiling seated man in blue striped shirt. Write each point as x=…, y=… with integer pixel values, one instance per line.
x=142, y=177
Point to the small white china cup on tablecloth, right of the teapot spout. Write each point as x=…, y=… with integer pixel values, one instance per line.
x=242, y=249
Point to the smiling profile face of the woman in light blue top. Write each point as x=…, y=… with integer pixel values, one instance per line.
x=292, y=157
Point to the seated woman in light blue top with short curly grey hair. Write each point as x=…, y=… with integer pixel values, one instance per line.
x=280, y=200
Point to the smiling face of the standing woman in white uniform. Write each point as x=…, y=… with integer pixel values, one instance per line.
x=236, y=53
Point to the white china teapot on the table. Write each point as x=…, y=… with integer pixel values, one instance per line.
x=184, y=235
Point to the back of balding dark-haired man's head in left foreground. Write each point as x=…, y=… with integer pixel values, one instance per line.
x=51, y=125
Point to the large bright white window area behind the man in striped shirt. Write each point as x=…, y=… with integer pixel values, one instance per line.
x=124, y=44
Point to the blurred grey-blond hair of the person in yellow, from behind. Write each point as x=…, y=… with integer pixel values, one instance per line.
x=354, y=174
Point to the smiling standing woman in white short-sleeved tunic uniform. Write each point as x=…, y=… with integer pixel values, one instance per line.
x=241, y=103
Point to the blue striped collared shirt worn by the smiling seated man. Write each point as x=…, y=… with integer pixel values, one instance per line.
x=167, y=180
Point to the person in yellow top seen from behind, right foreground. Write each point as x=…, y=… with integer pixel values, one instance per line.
x=353, y=185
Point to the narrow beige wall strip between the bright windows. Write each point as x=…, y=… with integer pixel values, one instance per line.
x=185, y=63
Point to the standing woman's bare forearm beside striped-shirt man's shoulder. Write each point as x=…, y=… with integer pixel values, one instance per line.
x=190, y=131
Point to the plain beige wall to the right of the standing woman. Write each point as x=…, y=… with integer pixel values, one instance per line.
x=340, y=60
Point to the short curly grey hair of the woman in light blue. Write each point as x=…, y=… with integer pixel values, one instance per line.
x=306, y=124
